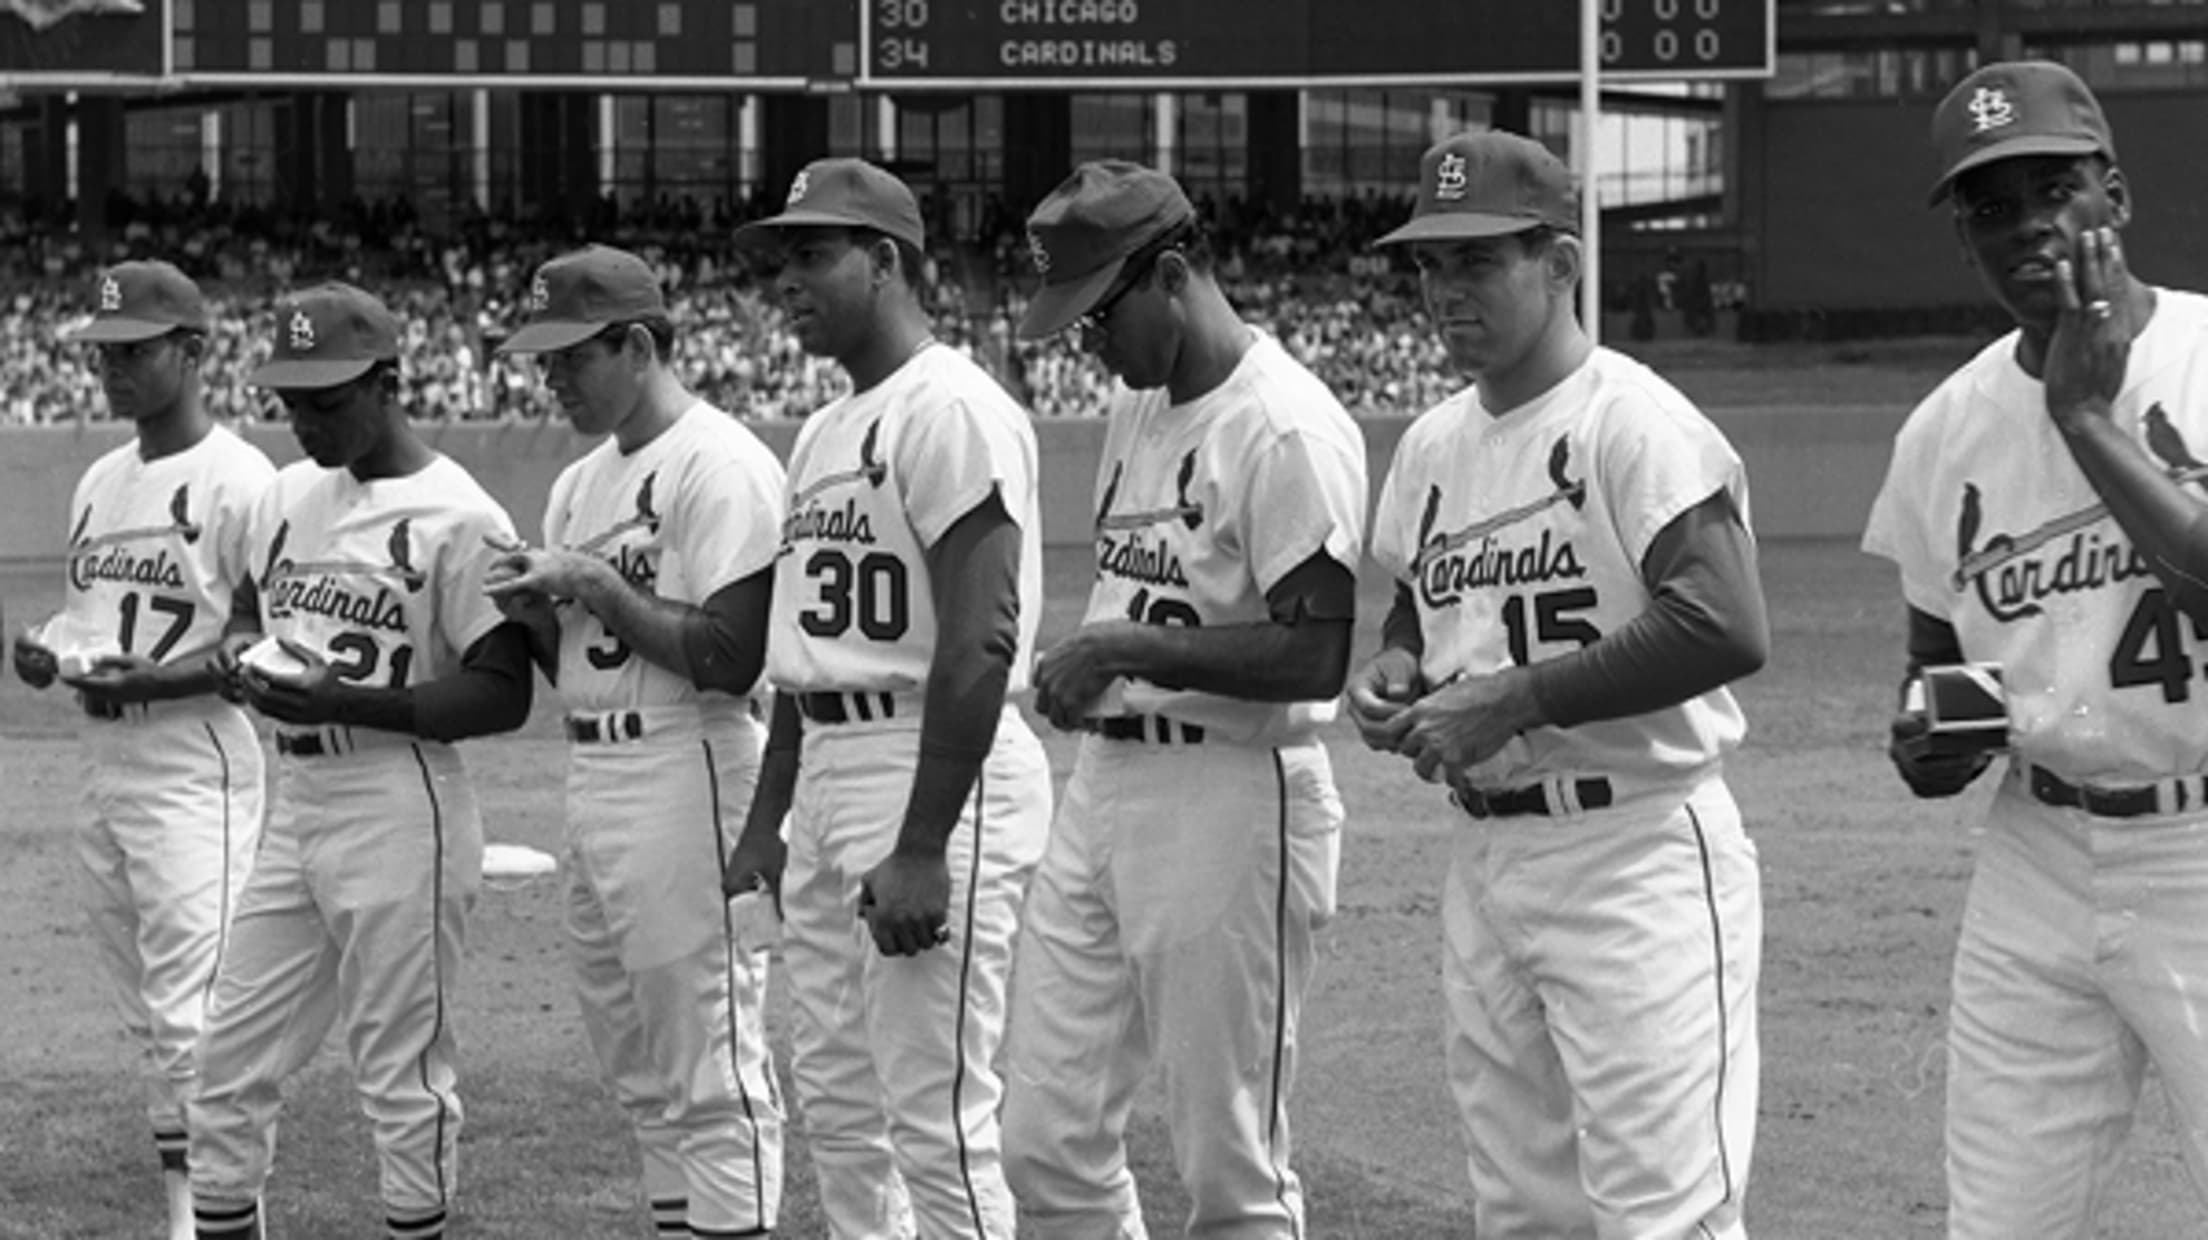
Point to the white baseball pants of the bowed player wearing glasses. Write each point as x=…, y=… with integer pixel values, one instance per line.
x=1174, y=919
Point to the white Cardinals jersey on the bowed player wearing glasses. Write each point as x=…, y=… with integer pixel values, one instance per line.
x=1204, y=506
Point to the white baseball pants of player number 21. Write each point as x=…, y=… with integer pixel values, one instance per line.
x=357, y=915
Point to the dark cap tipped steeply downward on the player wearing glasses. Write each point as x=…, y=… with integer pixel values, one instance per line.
x=1087, y=228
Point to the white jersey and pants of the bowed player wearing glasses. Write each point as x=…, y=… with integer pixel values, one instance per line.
x=1196, y=851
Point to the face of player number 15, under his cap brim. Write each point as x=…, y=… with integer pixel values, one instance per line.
x=1489, y=297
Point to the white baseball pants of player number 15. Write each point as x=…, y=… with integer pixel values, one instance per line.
x=1600, y=974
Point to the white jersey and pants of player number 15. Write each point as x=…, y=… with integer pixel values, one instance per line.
x=1602, y=954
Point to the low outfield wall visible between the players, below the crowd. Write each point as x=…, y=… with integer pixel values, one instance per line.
x=1812, y=473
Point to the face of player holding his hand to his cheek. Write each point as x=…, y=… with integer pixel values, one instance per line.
x=2017, y=217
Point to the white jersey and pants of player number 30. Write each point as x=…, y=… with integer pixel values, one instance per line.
x=895, y=1058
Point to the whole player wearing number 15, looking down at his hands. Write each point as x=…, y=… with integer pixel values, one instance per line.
x=1575, y=586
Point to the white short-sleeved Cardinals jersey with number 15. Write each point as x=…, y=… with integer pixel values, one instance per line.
x=1522, y=539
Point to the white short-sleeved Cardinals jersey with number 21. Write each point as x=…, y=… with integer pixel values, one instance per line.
x=385, y=577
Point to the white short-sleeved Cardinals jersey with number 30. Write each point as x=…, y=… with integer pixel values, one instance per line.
x=875, y=480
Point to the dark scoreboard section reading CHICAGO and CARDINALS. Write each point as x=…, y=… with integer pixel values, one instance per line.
x=979, y=45
